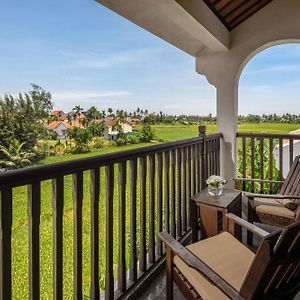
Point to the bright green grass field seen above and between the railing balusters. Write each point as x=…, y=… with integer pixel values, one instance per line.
x=20, y=223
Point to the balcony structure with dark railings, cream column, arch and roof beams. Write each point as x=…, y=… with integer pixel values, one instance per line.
x=117, y=203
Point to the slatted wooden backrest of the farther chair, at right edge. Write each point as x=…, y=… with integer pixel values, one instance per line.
x=291, y=185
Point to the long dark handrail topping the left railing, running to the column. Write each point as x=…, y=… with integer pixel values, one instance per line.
x=25, y=176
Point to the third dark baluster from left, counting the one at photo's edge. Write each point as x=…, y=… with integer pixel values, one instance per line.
x=57, y=214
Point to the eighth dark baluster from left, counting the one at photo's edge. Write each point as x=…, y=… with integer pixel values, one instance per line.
x=133, y=252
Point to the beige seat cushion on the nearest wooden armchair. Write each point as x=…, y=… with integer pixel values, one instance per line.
x=226, y=256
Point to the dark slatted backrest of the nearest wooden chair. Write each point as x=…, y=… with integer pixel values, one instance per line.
x=276, y=266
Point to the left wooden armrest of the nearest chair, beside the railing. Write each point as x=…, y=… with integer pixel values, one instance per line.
x=194, y=262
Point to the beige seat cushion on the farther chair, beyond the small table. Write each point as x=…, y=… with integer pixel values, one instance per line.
x=272, y=207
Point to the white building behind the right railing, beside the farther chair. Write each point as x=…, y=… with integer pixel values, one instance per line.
x=286, y=152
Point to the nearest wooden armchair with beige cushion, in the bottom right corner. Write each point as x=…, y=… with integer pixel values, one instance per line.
x=221, y=267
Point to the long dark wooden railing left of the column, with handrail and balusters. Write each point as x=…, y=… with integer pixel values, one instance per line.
x=145, y=191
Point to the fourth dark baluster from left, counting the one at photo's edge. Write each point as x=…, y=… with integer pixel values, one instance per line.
x=77, y=189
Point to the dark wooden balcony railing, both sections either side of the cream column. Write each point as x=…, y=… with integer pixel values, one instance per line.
x=118, y=204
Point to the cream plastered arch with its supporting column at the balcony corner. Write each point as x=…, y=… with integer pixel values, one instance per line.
x=277, y=23
